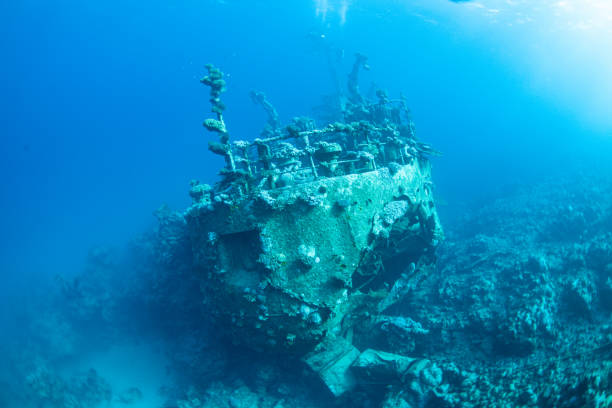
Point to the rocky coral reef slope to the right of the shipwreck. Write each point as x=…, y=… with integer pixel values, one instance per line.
x=511, y=288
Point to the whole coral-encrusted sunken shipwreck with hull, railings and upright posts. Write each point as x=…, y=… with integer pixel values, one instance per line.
x=312, y=231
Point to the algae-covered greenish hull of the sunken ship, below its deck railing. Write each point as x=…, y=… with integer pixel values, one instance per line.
x=286, y=266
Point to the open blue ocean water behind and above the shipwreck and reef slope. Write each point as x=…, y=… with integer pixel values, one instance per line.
x=101, y=113
